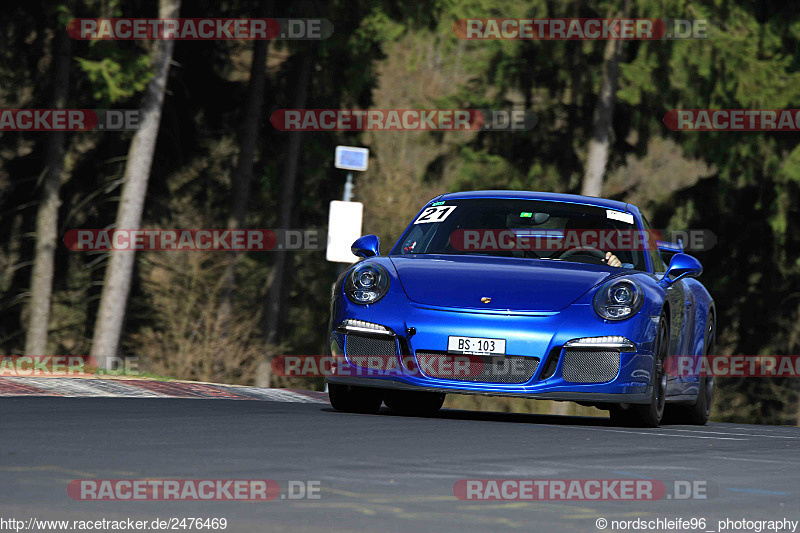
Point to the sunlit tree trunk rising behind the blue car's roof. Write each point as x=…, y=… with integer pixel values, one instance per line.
x=600, y=144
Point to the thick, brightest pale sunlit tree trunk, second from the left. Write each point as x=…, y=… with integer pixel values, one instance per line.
x=117, y=284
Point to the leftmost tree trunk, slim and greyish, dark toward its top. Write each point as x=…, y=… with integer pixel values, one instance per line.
x=47, y=214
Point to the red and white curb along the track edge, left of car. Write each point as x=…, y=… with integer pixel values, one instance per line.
x=142, y=388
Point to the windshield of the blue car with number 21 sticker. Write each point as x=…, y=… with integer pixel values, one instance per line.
x=554, y=231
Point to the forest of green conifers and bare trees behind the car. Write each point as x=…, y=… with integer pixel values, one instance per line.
x=211, y=158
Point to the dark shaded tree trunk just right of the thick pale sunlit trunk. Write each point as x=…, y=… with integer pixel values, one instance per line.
x=243, y=176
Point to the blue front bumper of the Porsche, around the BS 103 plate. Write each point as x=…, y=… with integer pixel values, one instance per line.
x=551, y=369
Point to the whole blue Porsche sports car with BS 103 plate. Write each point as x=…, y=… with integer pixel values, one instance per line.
x=534, y=295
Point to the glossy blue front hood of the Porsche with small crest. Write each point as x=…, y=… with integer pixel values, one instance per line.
x=512, y=284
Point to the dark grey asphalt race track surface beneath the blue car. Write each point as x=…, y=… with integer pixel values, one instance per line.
x=382, y=472
